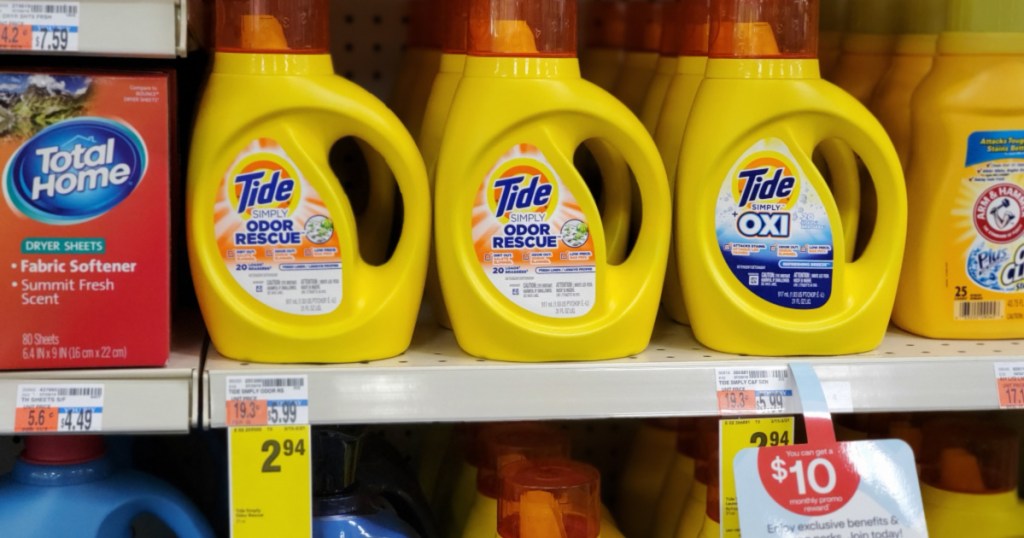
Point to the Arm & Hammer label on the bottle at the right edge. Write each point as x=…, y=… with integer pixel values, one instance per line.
x=986, y=261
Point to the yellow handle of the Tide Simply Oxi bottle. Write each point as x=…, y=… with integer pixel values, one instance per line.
x=868, y=139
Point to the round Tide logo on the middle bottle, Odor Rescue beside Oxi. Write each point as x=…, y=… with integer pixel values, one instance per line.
x=524, y=188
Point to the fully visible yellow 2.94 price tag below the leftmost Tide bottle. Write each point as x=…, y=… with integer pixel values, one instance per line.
x=271, y=482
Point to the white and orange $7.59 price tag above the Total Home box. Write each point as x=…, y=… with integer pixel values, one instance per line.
x=39, y=26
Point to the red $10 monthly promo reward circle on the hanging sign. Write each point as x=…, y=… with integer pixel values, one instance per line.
x=809, y=480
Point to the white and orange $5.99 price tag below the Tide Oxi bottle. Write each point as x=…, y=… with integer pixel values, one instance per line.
x=755, y=391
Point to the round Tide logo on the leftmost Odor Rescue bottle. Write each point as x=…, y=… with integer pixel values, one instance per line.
x=264, y=185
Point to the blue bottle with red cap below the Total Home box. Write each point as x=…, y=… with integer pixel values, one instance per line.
x=65, y=486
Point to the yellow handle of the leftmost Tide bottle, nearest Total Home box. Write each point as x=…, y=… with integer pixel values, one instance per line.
x=357, y=113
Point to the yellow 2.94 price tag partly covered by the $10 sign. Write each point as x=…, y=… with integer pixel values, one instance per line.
x=738, y=435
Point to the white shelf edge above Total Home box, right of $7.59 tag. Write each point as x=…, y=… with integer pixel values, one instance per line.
x=132, y=28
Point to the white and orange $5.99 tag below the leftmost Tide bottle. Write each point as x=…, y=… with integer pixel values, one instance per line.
x=268, y=400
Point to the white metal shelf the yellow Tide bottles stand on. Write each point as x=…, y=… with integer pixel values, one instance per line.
x=436, y=382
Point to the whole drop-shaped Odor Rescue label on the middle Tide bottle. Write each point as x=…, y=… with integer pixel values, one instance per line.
x=532, y=238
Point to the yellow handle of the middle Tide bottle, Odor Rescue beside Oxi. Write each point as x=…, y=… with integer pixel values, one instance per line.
x=626, y=135
